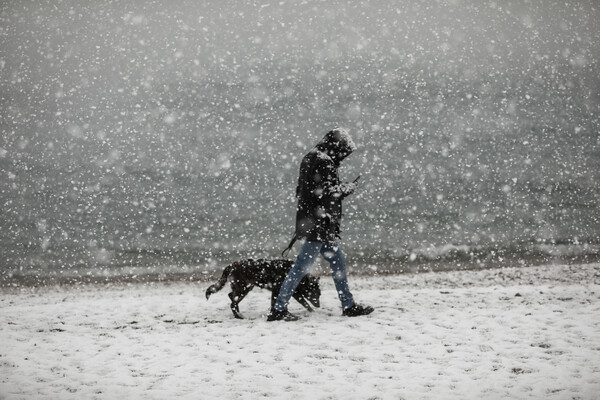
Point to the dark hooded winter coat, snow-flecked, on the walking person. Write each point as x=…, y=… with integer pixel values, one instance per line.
x=319, y=190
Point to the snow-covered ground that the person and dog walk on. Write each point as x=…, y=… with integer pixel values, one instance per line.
x=500, y=333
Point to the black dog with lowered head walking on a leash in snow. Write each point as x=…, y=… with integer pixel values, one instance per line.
x=266, y=274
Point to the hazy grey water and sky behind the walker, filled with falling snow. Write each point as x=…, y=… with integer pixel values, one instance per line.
x=120, y=116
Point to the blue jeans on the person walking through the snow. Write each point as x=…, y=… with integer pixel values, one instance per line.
x=306, y=258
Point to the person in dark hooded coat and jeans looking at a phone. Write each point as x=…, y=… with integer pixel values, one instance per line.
x=318, y=217
